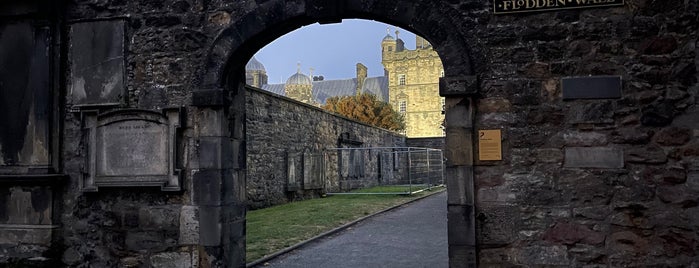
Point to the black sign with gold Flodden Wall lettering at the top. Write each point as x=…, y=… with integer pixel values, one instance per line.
x=516, y=6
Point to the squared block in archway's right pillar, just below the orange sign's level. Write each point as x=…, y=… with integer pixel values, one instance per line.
x=459, y=181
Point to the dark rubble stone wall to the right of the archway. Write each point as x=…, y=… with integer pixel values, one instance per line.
x=608, y=182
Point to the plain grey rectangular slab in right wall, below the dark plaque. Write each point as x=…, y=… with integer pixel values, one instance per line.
x=594, y=157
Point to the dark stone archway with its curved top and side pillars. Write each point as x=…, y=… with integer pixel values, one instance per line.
x=220, y=100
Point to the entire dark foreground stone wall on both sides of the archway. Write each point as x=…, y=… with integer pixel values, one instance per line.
x=601, y=182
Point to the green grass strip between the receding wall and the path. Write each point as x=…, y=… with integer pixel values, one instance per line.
x=275, y=228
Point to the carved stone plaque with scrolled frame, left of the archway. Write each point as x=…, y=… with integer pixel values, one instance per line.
x=132, y=148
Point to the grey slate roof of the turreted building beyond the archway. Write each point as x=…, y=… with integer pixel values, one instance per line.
x=322, y=90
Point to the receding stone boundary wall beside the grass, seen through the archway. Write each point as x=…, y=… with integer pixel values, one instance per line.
x=280, y=129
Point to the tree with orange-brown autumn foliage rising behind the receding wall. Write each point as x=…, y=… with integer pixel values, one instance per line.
x=366, y=108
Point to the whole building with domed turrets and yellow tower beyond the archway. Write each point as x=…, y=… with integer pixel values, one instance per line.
x=410, y=84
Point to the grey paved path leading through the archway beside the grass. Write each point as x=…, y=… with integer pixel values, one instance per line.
x=411, y=236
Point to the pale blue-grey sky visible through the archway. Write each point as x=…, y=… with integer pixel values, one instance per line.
x=332, y=50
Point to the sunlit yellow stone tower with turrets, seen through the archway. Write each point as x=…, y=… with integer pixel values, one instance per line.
x=413, y=85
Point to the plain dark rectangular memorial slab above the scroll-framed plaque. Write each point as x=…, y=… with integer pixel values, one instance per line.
x=96, y=78
